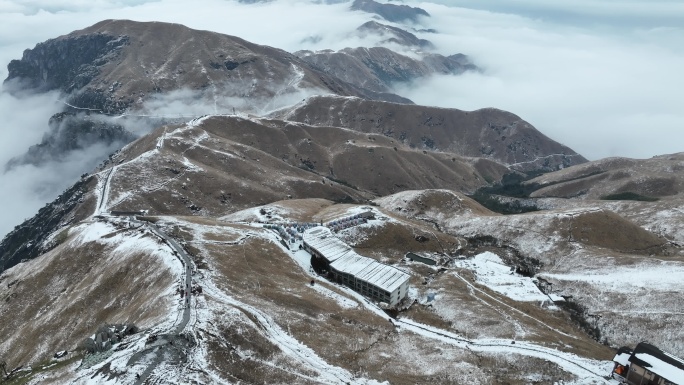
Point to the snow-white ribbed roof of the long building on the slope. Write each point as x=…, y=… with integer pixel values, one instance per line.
x=344, y=259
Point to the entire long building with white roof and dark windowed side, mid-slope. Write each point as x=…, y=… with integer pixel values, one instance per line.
x=366, y=275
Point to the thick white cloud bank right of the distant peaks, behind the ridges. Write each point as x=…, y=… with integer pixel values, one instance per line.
x=602, y=94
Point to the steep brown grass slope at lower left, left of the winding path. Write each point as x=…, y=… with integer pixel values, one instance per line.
x=55, y=301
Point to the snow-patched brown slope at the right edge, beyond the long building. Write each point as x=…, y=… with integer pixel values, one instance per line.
x=621, y=261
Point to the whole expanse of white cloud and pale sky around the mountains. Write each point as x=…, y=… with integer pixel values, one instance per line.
x=601, y=76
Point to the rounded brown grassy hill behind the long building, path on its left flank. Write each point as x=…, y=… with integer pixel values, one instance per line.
x=241, y=163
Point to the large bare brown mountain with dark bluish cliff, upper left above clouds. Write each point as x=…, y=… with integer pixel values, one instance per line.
x=117, y=64
